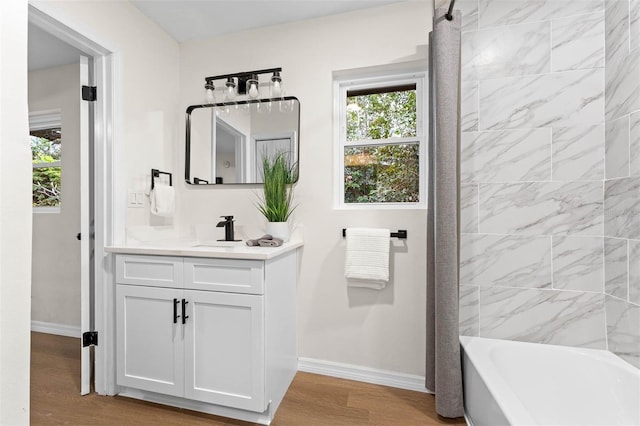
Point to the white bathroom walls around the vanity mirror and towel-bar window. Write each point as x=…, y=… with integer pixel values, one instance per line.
x=383, y=330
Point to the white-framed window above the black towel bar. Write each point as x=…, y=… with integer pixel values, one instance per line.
x=381, y=157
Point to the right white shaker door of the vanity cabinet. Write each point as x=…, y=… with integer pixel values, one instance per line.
x=224, y=349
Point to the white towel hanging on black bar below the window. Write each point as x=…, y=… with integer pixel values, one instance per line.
x=367, y=257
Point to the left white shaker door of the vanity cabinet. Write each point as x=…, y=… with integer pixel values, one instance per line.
x=149, y=343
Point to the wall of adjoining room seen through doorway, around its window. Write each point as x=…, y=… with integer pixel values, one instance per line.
x=55, y=290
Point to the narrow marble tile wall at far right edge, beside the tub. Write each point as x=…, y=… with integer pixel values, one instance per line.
x=622, y=178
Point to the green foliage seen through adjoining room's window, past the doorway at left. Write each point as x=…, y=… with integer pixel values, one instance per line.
x=45, y=149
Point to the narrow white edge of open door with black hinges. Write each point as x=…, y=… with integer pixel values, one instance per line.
x=86, y=246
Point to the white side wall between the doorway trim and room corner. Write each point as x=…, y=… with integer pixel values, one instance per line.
x=146, y=88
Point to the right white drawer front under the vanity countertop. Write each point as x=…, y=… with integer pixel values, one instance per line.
x=228, y=275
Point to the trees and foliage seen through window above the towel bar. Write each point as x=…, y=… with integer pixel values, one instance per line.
x=386, y=173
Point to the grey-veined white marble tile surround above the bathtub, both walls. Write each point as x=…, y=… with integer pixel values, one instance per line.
x=537, y=157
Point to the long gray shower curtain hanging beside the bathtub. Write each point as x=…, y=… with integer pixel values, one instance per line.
x=443, y=366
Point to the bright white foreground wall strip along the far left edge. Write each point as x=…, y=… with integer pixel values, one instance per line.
x=15, y=216
